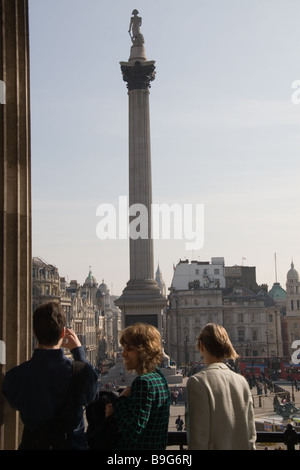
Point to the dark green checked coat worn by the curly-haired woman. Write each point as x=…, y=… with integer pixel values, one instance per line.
x=143, y=416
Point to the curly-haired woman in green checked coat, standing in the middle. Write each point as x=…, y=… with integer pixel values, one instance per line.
x=142, y=411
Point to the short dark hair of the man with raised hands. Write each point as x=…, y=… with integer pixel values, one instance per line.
x=48, y=323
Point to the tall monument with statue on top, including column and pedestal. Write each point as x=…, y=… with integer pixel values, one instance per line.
x=141, y=299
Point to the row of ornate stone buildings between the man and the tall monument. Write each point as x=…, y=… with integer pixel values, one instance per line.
x=88, y=308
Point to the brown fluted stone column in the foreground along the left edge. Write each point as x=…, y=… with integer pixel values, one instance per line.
x=15, y=202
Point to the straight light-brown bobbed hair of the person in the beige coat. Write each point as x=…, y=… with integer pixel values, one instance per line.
x=216, y=341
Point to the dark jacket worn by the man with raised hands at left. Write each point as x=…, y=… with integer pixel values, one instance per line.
x=40, y=387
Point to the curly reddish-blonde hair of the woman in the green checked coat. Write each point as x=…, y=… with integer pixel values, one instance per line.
x=147, y=340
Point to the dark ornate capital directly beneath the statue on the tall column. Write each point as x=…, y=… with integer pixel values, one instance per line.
x=139, y=75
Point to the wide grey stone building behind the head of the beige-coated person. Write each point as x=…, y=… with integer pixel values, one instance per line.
x=211, y=292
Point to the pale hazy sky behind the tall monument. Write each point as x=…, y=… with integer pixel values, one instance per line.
x=224, y=129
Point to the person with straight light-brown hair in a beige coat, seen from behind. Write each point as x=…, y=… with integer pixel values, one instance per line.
x=219, y=413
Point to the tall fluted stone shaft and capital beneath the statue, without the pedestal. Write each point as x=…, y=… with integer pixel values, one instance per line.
x=138, y=79
